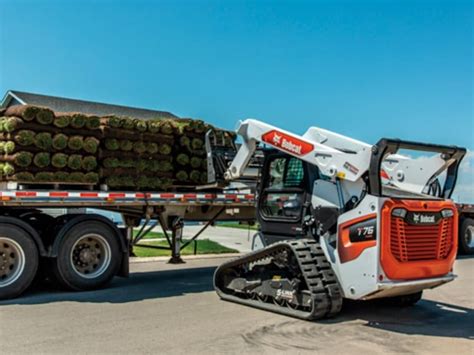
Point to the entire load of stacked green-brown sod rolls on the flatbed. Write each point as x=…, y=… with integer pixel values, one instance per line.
x=40, y=146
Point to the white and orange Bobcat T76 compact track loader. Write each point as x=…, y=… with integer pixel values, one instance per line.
x=340, y=218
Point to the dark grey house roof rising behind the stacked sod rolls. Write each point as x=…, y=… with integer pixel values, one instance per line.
x=62, y=104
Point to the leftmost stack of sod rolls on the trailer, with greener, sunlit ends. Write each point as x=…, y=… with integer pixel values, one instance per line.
x=38, y=146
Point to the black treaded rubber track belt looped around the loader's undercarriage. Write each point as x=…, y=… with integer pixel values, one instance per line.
x=316, y=270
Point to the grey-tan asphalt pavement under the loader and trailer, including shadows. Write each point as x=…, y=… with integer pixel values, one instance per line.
x=166, y=308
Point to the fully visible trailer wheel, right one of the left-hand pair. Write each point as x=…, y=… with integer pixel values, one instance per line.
x=88, y=256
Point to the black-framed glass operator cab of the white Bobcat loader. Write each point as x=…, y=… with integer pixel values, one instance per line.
x=284, y=196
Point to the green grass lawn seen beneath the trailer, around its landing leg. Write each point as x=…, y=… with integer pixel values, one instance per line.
x=204, y=246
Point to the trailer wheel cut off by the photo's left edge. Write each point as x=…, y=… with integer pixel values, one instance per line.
x=18, y=261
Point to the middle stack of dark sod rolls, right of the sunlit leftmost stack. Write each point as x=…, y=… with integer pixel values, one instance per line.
x=136, y=154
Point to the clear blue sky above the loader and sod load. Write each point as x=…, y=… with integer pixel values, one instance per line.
x=367, y=69
